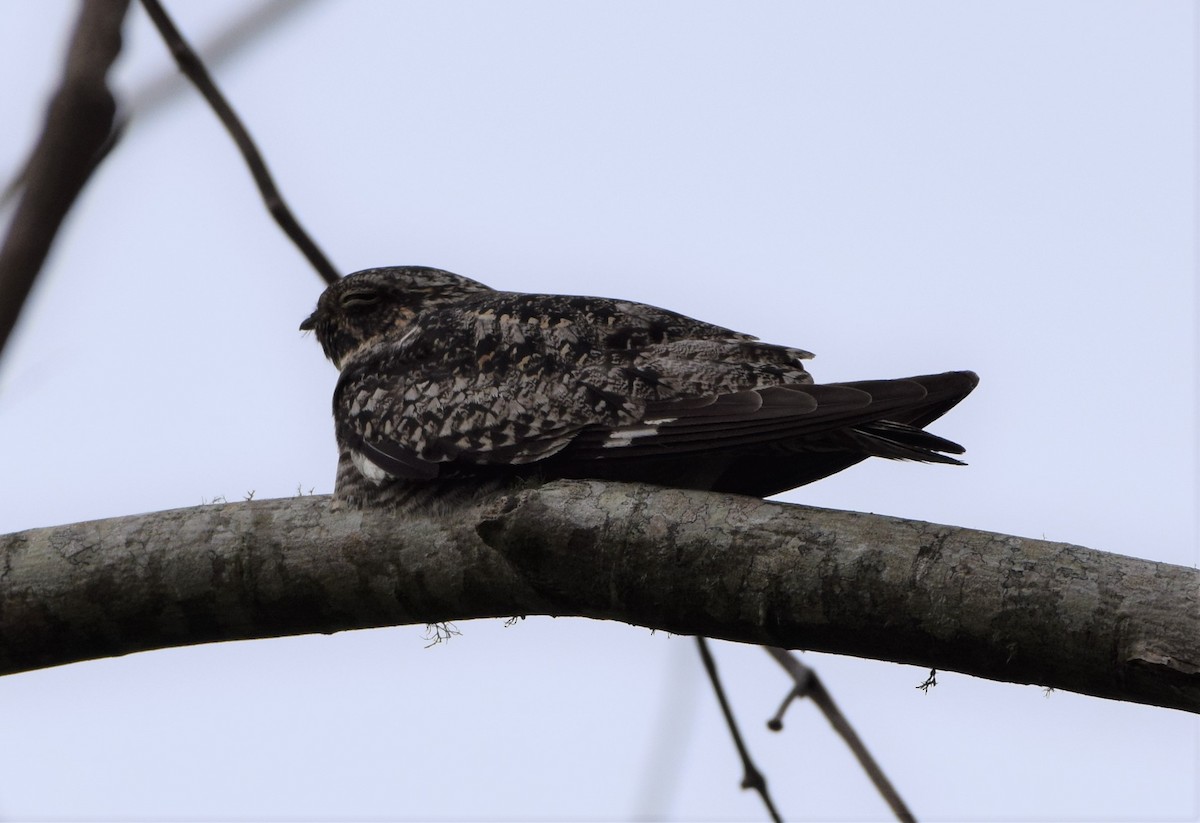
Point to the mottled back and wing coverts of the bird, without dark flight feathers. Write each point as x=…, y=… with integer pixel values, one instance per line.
x=517, y=379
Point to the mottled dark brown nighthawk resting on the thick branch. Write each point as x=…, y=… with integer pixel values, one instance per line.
x=451, y=389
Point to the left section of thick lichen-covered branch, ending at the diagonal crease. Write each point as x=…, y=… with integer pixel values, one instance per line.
x=238, y=572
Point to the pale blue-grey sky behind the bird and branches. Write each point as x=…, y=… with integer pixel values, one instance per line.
x=902, y=189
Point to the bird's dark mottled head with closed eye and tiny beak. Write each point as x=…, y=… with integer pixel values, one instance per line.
x=375, y=304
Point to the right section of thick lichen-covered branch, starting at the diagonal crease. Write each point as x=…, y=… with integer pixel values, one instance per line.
x=991, y=605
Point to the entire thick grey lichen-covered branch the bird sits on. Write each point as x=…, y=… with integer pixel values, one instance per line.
x=991, y=605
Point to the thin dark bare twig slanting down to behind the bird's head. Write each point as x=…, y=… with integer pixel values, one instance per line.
x=190, y=64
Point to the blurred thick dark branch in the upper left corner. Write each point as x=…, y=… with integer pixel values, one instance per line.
x=77, y=134
